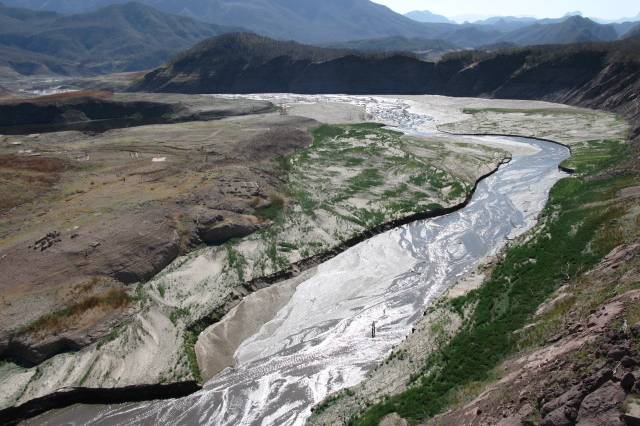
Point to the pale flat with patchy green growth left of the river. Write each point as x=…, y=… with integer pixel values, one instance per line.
x=352, y=179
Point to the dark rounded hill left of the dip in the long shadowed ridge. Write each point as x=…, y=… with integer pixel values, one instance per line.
x=245, y=63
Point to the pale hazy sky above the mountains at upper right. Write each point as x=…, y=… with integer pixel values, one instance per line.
x=606, y=9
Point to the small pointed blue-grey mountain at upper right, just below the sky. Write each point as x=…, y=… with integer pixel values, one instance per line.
x=575, y=29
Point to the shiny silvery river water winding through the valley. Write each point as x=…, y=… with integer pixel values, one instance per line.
x=321, y=342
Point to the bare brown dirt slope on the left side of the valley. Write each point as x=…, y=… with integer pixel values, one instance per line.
x=84, y=214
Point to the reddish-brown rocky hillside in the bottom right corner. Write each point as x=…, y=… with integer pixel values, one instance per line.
x=587, y=375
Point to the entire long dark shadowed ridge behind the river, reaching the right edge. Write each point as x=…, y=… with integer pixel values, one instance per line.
x=605, y=75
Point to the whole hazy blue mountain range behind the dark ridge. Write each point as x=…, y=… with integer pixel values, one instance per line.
x=133, y=36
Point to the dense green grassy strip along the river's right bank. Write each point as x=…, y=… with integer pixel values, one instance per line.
x=582, y=222
